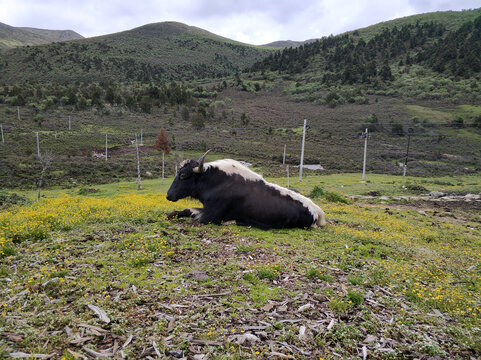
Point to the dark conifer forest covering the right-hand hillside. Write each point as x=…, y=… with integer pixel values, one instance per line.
x=349, y=59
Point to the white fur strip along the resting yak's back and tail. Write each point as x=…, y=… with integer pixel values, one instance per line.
x=231, y=167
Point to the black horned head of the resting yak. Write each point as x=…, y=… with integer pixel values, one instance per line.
x=184, y=184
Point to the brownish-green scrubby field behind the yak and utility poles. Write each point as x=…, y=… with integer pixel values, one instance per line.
x=249, y=125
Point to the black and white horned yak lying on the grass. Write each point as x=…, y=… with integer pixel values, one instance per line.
x=230, y=191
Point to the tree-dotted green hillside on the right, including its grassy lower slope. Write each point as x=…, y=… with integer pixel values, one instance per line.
x=406, y=57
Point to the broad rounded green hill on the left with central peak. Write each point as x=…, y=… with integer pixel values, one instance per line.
x=159, y=51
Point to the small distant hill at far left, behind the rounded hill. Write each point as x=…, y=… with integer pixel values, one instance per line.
x=12, y=37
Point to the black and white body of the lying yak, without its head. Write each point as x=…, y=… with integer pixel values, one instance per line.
x=231, y=191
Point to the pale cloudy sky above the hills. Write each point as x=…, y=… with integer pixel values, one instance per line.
x=250, y=21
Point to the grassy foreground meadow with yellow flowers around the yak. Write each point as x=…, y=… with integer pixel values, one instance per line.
x=103, y=273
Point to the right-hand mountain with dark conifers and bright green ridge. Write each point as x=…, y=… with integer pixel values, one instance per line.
x=447, y=43
